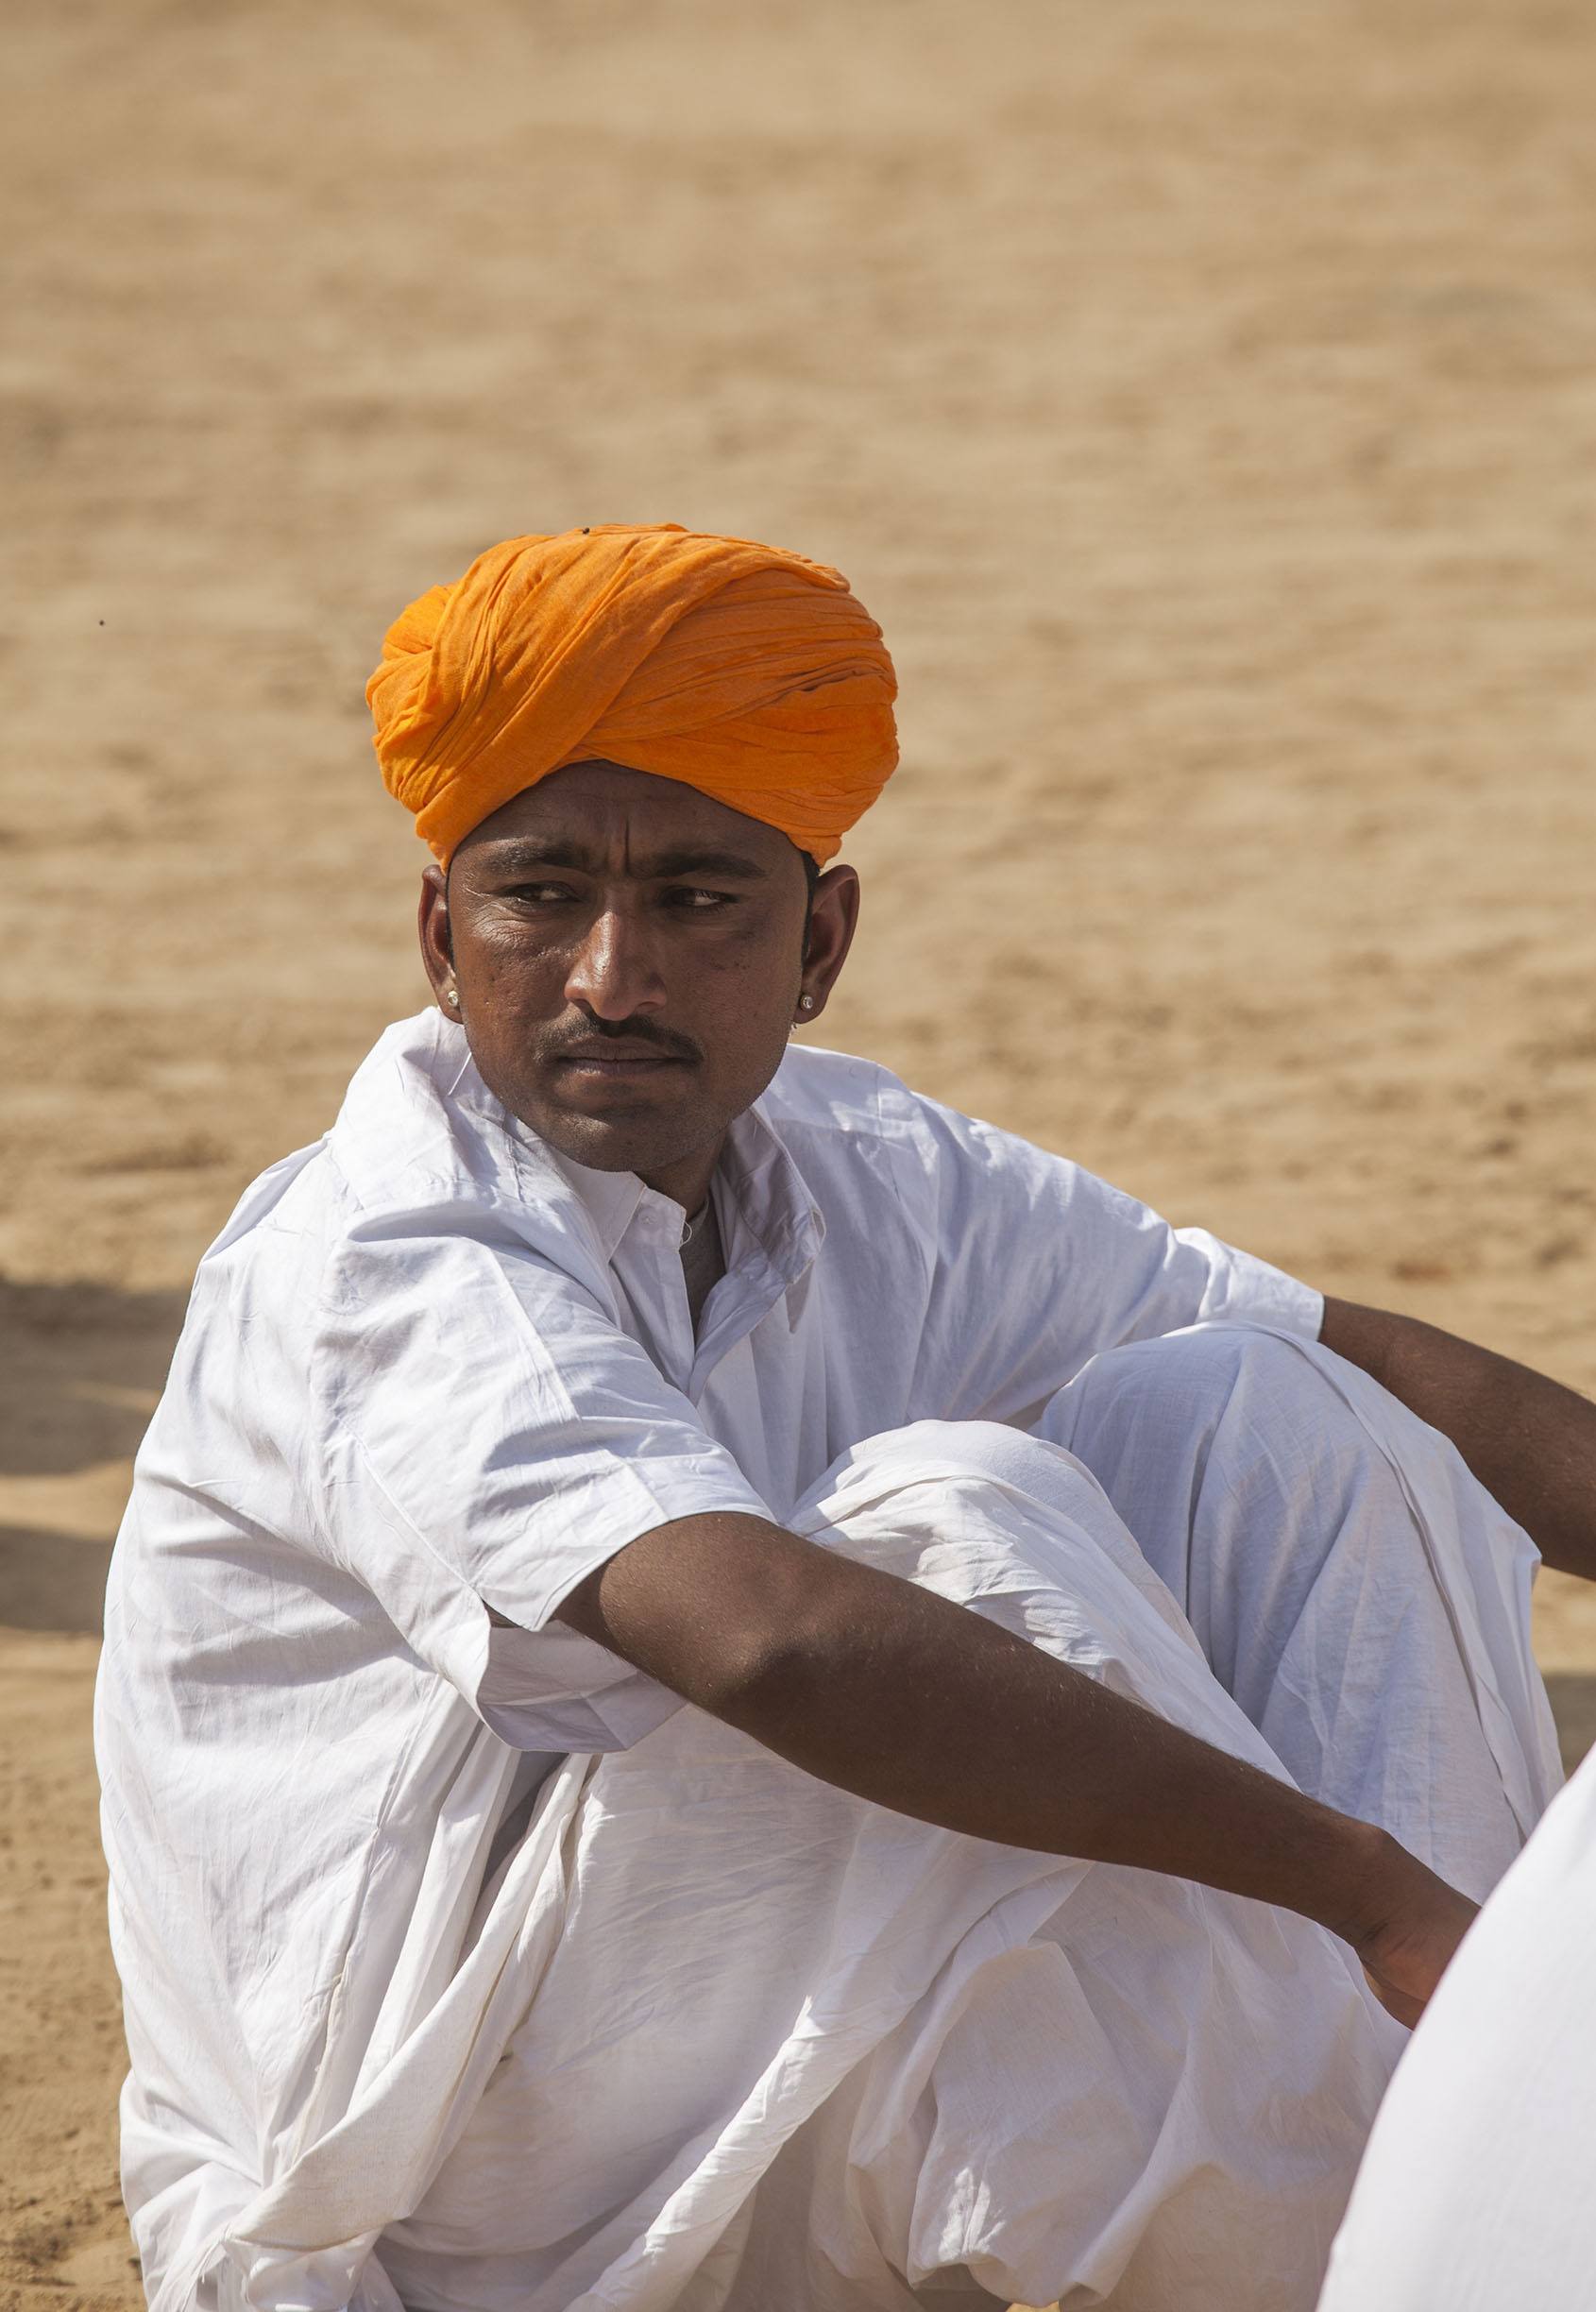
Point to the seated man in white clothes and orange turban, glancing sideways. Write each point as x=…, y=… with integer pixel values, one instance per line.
x=1061, y=1680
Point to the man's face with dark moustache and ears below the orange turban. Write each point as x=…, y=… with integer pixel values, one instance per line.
x=630, y=961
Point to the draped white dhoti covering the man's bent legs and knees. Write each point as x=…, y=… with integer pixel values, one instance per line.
x=727, y=2040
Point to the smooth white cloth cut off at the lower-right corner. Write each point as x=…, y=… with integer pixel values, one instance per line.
x=1477, y=2186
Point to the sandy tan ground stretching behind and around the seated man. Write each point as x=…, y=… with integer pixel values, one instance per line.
x=1204, y=399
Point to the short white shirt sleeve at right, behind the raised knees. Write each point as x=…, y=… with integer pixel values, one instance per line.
x=1042, y=1266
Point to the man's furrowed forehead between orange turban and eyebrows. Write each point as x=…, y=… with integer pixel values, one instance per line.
x=630, y=820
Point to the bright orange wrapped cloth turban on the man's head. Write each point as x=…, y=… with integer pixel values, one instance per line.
x=739, y=669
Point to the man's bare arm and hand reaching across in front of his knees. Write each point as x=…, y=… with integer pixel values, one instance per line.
x=912, y=1703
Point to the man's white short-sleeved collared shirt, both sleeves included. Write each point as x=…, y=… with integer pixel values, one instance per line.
x=436, y=1370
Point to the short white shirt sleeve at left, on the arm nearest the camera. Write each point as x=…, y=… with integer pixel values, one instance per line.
x=489, y=1437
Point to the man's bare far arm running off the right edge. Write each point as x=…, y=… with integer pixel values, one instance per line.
x=1530, y=1442
